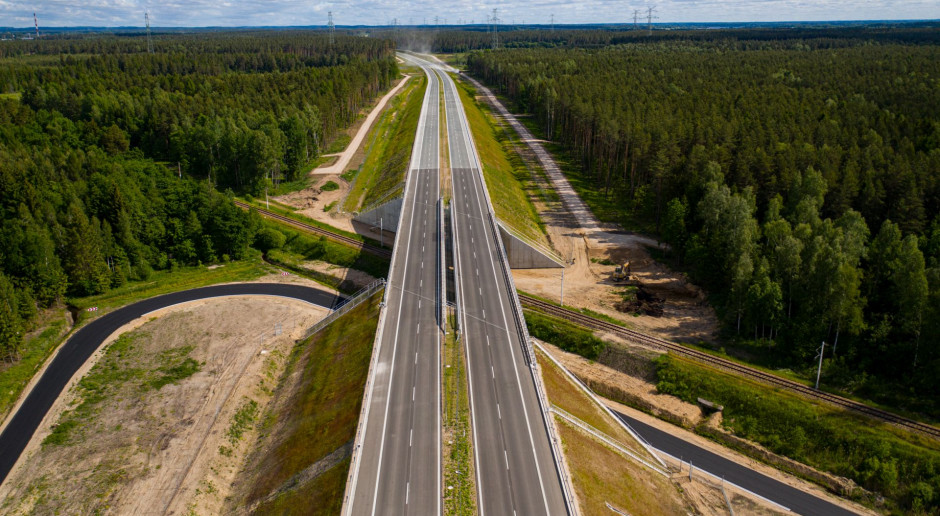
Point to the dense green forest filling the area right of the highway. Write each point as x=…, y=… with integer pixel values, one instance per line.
x=800, y=186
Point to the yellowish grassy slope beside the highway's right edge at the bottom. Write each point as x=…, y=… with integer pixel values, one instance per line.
x=600, y=473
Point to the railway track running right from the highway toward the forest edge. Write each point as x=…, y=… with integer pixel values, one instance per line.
x=727, y=365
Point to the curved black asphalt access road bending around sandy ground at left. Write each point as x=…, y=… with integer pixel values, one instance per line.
x=81, y=345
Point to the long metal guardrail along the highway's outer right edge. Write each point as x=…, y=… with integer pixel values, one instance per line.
x=560, y=465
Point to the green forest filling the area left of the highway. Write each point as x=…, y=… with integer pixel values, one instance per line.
x=115, y=162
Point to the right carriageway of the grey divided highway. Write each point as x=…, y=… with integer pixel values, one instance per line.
x=515, y=469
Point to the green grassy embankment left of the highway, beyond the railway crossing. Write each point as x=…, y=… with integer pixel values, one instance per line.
x=391, y=139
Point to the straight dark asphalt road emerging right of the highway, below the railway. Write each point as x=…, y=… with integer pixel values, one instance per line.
x=794, y=499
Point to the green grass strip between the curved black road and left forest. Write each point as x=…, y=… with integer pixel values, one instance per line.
x=54, y=328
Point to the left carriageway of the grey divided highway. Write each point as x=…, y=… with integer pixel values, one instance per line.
x=398, y=470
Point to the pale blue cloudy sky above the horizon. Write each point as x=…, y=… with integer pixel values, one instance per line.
x=202, y=13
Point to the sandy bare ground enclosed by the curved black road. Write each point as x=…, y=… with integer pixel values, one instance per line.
x=157, y=451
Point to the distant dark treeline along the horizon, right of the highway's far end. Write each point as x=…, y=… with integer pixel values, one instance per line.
x=450, y=41
